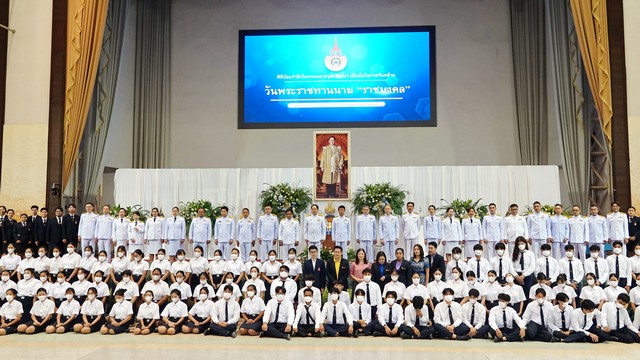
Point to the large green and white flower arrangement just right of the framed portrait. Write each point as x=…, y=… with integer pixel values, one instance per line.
x=377, y=196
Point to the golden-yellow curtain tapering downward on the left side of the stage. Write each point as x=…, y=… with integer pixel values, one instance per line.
x=85, y=29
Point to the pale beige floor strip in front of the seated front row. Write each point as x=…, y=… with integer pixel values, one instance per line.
x=127, y=346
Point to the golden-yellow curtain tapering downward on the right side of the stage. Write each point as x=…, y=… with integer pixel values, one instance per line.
x=590, y=18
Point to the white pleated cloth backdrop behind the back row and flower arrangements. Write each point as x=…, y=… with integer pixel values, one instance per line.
x=239, y=188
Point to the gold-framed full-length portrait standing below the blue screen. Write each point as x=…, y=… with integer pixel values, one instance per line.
x=332, y=157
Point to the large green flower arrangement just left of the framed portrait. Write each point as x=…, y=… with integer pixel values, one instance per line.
x=284, y=196
